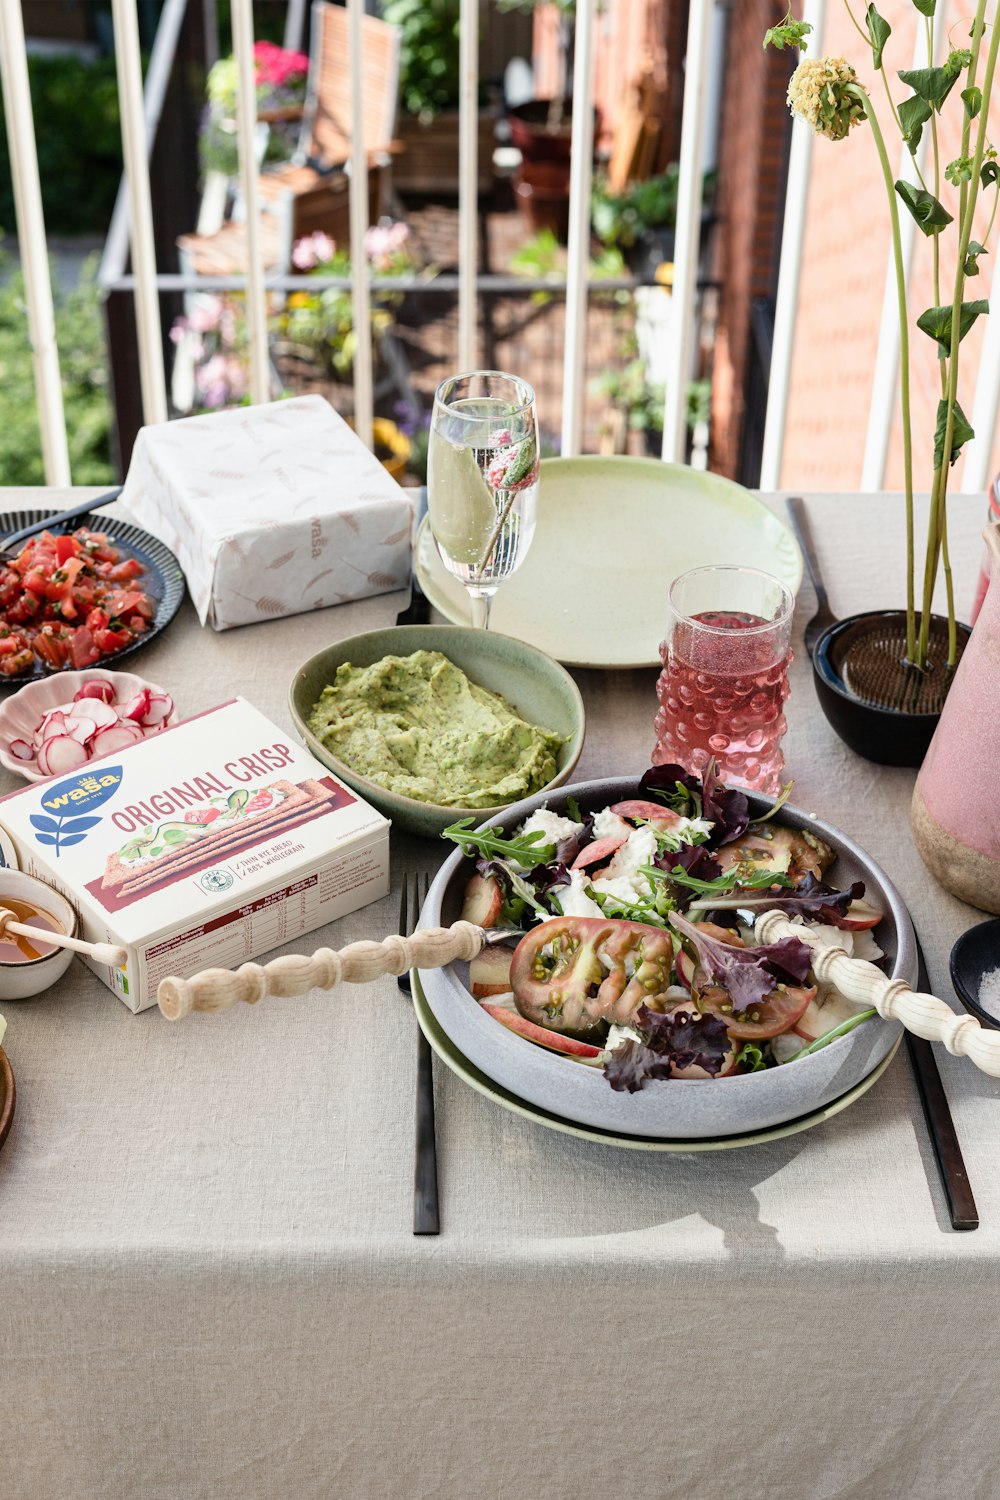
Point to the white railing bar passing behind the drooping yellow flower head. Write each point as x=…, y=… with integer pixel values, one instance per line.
x=789, y=272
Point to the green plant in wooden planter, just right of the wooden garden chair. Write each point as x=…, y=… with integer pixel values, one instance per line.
x=428, y=127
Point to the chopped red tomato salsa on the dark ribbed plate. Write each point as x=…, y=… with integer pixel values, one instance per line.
x=70, y=602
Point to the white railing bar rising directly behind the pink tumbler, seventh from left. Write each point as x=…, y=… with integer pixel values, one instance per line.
x=689, y=232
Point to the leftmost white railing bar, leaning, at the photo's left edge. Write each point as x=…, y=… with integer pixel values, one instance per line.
x=31, y=220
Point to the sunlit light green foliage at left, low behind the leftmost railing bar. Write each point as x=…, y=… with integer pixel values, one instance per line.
x=85, y=368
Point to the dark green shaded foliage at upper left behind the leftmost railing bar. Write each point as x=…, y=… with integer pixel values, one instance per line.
x=79, y=145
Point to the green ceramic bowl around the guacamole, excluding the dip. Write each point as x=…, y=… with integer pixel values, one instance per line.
x=536, y=686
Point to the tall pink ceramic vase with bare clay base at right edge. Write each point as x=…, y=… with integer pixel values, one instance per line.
x=957, y=794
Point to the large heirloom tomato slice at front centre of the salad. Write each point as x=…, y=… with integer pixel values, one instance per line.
x=578, y=974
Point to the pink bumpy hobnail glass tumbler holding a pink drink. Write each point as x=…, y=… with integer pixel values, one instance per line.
x=726, y=676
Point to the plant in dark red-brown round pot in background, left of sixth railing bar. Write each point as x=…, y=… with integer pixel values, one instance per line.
x=543, y=133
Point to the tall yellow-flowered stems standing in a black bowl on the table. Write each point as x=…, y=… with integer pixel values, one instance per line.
x=884, y=676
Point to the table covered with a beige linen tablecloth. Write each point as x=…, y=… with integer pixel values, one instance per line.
x=209, y=1286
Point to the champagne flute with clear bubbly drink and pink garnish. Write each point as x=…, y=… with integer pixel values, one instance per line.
x=484, y=481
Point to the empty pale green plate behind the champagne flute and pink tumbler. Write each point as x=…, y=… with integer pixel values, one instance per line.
x=612, y=536
